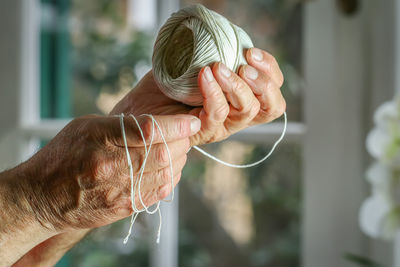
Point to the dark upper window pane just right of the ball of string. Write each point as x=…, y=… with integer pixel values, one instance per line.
x=275, y=26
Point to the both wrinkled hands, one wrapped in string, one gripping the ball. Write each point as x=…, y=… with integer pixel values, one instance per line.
x=84, y=168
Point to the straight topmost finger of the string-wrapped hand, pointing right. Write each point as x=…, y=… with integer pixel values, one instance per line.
x=157, y=129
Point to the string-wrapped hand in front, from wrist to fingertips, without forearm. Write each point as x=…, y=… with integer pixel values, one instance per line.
x=87, y=176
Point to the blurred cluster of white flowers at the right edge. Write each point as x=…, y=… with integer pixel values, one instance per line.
x=380, y=213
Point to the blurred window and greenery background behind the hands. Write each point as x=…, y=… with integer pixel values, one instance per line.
x=64, y=58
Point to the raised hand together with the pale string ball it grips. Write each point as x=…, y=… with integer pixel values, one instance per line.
x=229, y=102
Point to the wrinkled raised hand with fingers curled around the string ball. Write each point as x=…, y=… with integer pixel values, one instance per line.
x=231, y=102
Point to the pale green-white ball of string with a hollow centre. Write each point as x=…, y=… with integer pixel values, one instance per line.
x=190, y=39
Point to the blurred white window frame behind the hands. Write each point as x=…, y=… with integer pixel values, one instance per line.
x=337, y=51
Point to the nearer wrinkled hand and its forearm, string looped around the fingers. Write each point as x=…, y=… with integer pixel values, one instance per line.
x=81, y=178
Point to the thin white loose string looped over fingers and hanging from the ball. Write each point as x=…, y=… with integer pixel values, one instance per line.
x=147, y=149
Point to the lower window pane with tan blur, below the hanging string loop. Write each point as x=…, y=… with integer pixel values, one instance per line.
x=241, y=217
